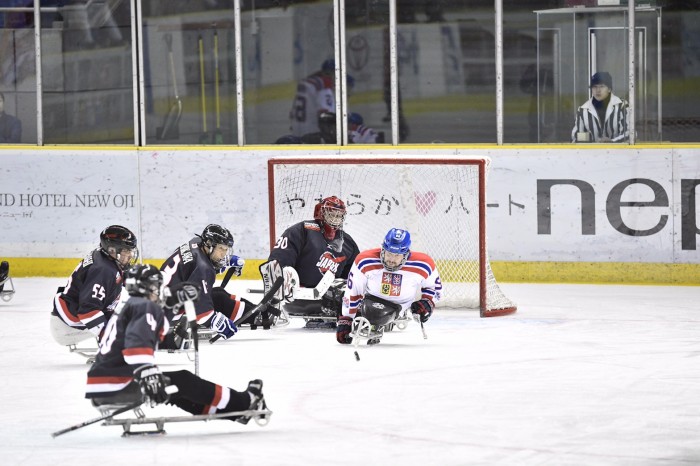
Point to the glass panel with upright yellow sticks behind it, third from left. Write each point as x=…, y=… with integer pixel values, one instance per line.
x=190, y=73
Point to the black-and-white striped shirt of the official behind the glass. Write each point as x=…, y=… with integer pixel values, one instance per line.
x=614, y=127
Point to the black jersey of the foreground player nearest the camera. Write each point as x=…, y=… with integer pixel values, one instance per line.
x=129, y=341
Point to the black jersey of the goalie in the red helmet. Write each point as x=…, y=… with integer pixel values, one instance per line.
x=304, y=247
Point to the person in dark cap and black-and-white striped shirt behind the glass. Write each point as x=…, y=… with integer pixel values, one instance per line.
x=603, y=118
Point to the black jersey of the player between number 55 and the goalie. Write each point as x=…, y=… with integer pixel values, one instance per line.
x=190, y=263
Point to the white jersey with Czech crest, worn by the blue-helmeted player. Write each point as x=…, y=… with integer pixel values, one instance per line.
x=417, y=279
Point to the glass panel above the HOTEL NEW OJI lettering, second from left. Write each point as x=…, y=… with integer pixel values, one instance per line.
x=87, y=72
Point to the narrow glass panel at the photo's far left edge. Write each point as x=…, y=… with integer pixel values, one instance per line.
x=17, y=74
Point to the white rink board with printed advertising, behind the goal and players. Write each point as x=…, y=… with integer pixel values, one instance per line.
x=181, y=191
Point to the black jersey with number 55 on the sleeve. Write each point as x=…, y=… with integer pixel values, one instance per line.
x=92, y=292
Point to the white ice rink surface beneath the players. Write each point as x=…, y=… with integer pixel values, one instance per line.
x=580, y=375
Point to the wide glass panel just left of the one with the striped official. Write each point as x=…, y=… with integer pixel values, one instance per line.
x=447, y=70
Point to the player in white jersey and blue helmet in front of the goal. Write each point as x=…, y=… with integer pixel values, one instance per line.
x=395, y=274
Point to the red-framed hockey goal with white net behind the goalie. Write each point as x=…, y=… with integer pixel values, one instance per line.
x=440, y=201
